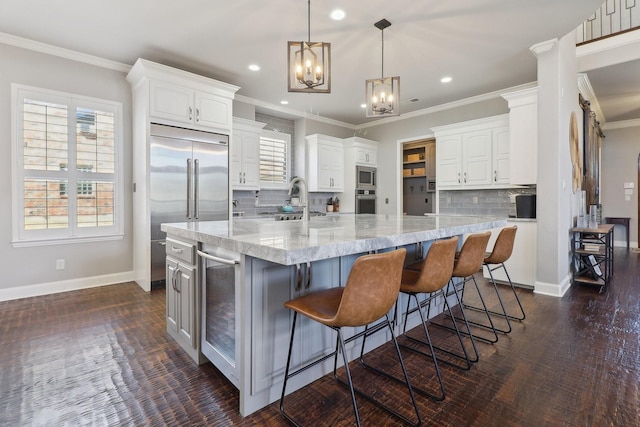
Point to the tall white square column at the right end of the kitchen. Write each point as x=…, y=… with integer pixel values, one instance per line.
x=557, y=98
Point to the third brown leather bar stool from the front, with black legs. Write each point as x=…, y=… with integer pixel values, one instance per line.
x=468, y=262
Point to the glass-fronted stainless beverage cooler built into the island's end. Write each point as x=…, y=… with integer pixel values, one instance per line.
x=220, y=303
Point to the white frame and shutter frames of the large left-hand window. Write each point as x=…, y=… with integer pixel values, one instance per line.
x=73, y=233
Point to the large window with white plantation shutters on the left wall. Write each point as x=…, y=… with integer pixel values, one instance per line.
x=66, y=161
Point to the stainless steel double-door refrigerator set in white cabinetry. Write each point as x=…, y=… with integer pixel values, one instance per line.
x=189, y=181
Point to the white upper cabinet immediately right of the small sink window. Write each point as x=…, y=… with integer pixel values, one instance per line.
x=325, y=163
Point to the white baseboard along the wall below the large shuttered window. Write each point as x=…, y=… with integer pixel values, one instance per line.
x=64, y=286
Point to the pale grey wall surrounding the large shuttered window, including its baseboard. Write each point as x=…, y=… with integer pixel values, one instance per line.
x=32, y=270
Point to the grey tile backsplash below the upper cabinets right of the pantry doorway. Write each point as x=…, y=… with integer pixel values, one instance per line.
x=481, y=202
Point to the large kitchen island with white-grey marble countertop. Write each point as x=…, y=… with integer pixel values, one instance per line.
x=227, y=302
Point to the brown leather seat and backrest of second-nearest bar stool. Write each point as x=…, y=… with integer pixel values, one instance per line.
x=438, y=266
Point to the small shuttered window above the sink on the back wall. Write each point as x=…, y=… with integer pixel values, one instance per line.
x=275, y=159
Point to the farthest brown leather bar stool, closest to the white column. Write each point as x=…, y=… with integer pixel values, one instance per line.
x=502, y=250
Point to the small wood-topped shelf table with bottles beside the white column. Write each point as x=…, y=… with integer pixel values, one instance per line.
x=592, y=255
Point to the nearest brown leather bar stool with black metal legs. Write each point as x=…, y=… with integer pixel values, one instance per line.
x=370, y=292
